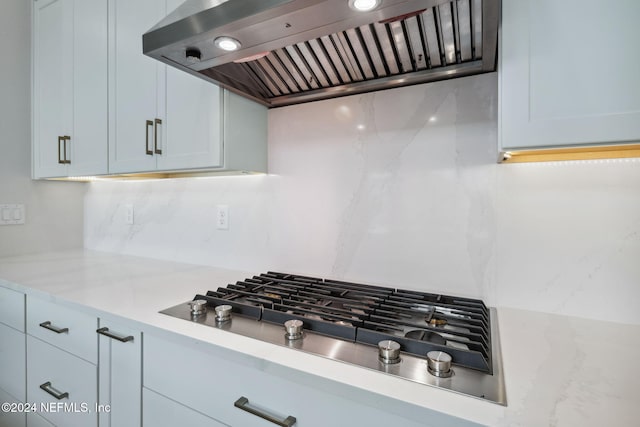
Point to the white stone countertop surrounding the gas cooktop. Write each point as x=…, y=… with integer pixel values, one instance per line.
x=559, y=371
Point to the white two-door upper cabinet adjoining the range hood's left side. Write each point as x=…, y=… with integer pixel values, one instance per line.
x=166, y=120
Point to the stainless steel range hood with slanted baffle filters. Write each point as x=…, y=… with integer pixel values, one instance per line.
x=318, y=49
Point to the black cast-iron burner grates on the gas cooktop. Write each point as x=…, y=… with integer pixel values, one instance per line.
x=420, y=322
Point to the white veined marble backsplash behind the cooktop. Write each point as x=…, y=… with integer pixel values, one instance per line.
x=401, y=188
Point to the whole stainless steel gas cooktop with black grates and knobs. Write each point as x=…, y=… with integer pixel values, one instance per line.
x=437, y=340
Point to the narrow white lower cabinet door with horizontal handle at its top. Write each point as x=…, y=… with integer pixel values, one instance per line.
x=120, y=375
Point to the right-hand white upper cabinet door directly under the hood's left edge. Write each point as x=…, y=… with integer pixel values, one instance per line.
x=193, y=129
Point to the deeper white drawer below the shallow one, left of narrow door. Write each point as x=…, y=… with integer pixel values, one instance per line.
x=66, y=373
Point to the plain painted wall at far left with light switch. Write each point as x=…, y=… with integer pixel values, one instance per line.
x=54, y=211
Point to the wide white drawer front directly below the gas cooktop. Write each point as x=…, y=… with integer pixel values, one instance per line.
x=198, y=377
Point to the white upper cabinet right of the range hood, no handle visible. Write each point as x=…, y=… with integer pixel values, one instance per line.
x=569, y=73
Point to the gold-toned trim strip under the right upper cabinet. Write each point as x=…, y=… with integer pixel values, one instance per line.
x=573, y=153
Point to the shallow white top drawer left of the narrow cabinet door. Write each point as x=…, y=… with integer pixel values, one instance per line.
x=79, y=329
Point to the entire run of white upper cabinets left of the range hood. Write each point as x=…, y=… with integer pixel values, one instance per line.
x=102, y=107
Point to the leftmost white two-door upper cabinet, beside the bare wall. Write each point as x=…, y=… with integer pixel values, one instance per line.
x=69, y=88
